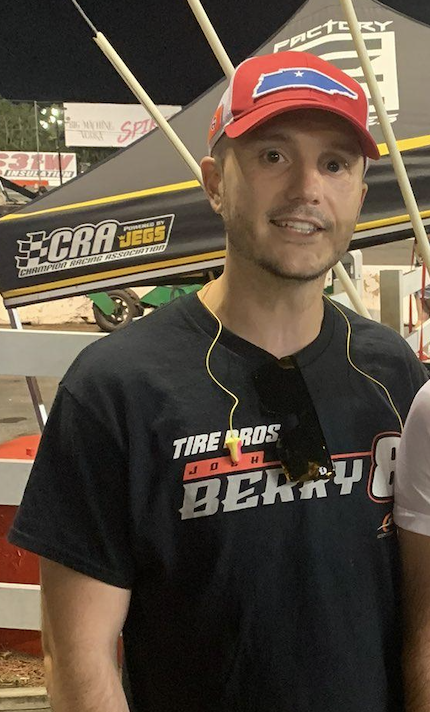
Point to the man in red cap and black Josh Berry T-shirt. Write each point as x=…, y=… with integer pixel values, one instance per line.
x=184, y=490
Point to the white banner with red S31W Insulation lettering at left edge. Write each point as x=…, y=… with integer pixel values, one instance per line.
x=31, y=168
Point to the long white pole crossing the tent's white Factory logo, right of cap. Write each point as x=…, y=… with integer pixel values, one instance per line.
x=398, y=165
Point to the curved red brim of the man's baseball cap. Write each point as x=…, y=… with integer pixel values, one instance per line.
x=261, y=114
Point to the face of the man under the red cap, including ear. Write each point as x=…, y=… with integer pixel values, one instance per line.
x=290, y=192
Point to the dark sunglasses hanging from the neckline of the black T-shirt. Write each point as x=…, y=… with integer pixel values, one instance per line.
x=301, y=446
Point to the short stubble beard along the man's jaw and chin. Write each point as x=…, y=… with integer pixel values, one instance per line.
x=241, y=239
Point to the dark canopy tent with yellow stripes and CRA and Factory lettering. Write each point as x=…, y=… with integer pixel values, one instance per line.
x=140, y=217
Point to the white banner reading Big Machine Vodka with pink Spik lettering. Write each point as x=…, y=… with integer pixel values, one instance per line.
x=115, y=125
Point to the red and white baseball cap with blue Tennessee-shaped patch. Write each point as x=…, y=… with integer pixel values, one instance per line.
x=271, y=84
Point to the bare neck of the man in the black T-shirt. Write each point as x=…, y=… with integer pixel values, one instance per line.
x=279, y=316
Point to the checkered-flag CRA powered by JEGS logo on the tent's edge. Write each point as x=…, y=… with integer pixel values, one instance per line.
x=89, y=244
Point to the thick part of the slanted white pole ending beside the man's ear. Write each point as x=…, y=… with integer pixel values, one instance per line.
x=147, y=102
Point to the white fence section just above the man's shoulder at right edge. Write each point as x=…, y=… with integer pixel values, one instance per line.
x=395, y=286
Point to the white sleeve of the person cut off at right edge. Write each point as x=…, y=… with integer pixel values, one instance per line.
x=412, y=479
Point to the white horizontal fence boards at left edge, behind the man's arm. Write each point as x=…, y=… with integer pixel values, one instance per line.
x=30, y=353
